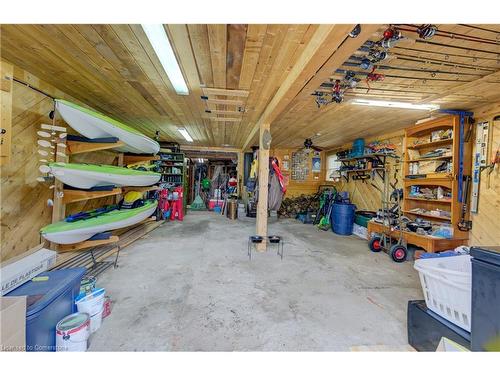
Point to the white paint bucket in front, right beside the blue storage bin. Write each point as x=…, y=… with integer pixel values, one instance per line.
x=72, y=333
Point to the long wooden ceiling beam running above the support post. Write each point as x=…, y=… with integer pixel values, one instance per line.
x=323, y=46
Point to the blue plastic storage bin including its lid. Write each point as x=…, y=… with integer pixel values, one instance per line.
x=47, y=303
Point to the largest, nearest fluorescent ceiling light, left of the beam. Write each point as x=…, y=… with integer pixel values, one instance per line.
x=163, y=49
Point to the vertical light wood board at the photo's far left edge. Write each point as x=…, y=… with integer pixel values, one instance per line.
x=6, y=89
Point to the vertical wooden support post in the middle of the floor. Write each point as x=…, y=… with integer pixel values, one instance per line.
x=264, y=145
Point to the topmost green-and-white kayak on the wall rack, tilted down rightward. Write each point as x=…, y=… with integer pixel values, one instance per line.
x=93, y=125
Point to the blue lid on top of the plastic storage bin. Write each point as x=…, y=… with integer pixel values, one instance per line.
x=41, y=293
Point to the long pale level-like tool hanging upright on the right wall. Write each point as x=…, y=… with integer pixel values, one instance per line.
x=480, y=162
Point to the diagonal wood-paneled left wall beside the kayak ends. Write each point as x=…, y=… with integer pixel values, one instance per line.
x=24, y=207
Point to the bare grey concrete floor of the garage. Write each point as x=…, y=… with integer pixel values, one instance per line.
x=190, y=287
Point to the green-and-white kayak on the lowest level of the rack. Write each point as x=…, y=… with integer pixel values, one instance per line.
x=64, y=232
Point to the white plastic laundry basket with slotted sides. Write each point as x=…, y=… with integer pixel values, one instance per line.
x=446, y=283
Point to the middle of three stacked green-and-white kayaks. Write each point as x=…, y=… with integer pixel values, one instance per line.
x=87, y=176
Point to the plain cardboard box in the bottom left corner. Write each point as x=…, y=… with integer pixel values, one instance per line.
x=13, y=324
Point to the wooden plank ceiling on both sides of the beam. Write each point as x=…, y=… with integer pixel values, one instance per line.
x=239, y=68
